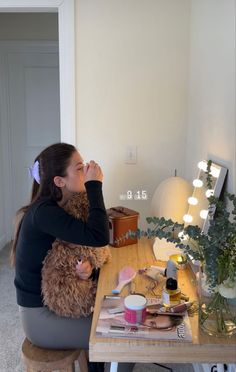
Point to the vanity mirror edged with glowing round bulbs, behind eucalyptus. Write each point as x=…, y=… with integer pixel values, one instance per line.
x=198, y=203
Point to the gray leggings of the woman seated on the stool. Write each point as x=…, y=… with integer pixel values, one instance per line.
x=46, y=329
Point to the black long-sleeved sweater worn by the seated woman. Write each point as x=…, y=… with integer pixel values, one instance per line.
x=44, y=222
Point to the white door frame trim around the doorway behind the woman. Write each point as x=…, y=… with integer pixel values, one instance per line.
x=66, y=36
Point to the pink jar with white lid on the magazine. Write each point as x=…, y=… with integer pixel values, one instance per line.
x=135, y=309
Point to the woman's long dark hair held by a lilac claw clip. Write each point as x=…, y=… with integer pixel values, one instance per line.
x=53, y=161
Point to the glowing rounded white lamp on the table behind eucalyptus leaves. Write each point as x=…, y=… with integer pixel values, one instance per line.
x=170, y=200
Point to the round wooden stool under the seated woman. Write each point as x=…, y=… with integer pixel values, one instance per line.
x=38, y=359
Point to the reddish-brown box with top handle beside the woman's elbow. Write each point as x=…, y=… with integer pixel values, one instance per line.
x=121, y=220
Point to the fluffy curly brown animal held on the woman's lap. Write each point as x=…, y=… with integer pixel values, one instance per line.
x=63, y=291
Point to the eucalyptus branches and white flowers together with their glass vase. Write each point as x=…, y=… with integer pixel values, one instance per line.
x=216, y=251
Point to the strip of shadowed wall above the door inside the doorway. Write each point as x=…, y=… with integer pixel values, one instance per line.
x=28, y=26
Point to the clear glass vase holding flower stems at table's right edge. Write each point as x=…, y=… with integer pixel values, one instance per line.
x=217, y=314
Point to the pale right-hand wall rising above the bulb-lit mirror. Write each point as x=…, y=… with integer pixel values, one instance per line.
x=211, y=116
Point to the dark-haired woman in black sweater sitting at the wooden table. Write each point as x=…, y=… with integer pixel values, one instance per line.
x=58, y=172
